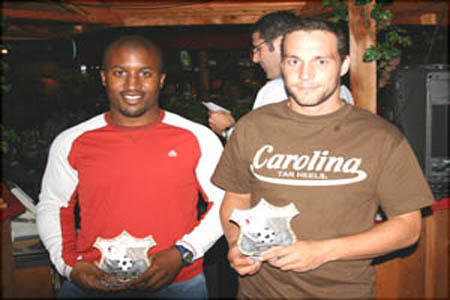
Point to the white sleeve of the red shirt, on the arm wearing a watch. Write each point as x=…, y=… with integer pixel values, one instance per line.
x=209, y=230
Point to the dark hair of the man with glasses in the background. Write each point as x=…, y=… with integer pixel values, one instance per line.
x=272, y=25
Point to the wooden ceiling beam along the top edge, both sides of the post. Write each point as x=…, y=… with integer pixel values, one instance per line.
x=115, y=13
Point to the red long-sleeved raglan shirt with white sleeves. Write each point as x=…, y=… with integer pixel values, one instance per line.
x=145, y=180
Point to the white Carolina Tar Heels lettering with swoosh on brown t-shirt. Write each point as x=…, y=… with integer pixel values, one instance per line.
x=305, y=170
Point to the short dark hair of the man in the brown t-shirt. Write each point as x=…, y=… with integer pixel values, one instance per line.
x=311, y=24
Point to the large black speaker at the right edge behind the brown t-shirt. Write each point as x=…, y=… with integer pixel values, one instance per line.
x=420, y=108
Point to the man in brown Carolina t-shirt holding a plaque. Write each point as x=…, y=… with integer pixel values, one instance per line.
x=336, y=163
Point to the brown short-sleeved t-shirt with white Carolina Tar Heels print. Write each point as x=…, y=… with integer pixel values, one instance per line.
x=337, y=169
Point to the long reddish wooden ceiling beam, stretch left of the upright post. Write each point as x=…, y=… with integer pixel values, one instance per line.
x=125, y=14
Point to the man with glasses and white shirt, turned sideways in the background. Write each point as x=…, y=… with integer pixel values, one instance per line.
x=267, y=35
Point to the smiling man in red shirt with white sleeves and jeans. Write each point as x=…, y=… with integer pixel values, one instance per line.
x=135, y=168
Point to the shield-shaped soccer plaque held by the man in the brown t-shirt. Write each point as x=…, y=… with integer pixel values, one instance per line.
x=263, y=227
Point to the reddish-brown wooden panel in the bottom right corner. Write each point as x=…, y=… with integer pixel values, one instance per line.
x=421, y=272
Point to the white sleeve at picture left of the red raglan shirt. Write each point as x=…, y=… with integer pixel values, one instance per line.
x=59, y=184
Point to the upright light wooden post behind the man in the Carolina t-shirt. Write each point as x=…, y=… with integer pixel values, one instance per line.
x=363, y=76
